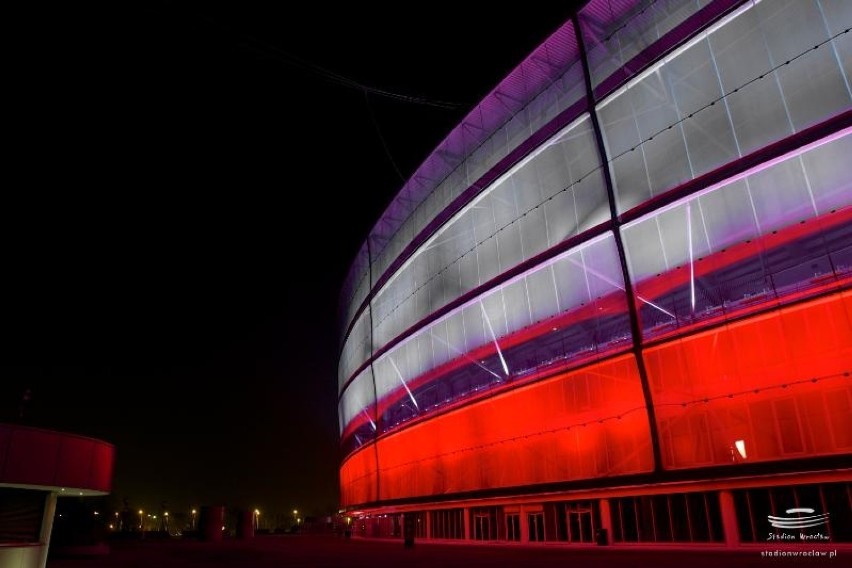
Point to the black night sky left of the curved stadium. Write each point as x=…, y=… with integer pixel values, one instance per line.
x=183, y=195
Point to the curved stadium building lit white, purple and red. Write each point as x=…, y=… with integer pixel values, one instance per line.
x=617, y=295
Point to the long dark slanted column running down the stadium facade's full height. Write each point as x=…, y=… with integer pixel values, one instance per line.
x=632, y=308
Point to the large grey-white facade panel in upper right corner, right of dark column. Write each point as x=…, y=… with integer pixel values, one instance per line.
x=762, y=73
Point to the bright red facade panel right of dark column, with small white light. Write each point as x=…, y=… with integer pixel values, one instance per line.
x=768, y=388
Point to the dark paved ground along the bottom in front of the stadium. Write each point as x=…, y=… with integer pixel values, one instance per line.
x=329, y=552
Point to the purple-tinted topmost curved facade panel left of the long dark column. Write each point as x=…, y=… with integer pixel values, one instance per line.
x=551, y=81
